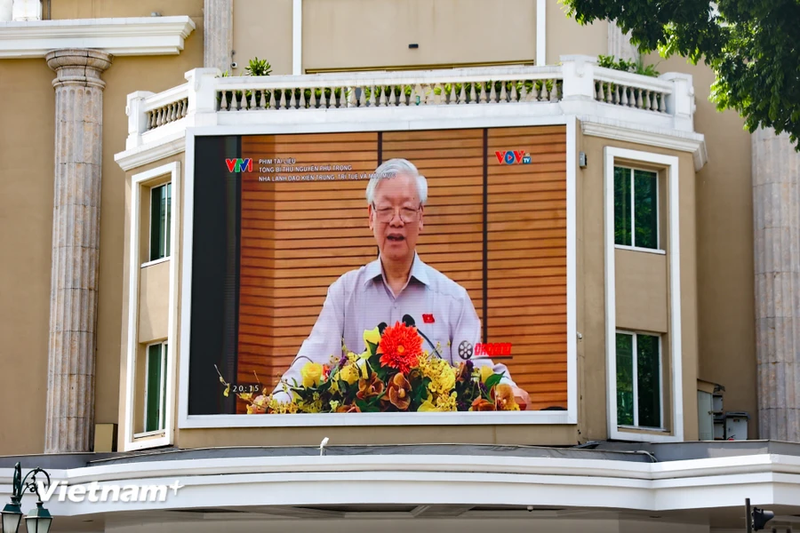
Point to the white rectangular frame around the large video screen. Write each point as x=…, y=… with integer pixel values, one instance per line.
x=566, y=417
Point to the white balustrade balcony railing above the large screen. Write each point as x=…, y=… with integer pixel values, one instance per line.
x=577, y=86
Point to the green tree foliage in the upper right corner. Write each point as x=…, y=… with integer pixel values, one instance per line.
x=750, y=44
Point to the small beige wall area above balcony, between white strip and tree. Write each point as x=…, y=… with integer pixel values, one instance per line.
x=565, y=36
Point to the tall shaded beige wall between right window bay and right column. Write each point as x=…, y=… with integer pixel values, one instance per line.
x=725, y=272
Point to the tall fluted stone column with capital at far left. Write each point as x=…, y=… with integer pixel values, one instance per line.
x=76, y=248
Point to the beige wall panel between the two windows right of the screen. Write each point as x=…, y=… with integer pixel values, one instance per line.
x=641, y=291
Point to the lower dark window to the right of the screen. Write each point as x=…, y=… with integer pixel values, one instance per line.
x=639, y=380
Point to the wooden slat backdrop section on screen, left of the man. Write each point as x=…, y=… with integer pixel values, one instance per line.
x=298, y=237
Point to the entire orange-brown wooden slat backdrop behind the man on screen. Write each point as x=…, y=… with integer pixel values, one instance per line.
x=299, y=237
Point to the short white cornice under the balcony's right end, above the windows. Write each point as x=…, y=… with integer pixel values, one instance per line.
x=693, y=143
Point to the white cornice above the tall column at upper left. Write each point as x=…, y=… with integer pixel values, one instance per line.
x=117, y=36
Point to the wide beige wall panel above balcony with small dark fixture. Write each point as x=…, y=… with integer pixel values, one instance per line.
x=361, y=33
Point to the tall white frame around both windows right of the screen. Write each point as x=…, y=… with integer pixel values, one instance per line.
x=673, y=427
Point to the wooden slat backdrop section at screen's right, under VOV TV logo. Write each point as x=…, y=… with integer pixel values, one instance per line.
x=527, y=292
